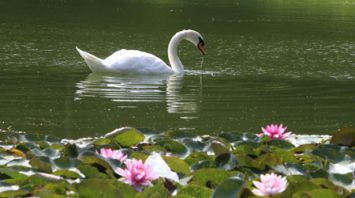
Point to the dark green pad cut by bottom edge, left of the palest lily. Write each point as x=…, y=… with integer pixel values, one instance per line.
x=230, y=188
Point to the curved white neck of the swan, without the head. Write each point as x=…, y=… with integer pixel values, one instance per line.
x=174, y=59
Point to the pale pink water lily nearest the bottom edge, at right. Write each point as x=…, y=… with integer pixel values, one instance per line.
x=269, y=184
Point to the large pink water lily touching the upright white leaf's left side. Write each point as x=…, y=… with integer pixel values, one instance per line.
x=136, y=174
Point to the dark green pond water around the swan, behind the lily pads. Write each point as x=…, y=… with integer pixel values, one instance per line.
x=274, y=61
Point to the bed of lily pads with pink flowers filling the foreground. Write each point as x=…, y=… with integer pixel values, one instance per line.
x=130, y=163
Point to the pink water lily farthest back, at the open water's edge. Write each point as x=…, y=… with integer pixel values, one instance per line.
x=275, y=131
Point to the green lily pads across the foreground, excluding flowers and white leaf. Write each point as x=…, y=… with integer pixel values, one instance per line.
x=225, y=166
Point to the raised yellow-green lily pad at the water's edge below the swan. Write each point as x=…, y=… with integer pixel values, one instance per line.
x=126, y=137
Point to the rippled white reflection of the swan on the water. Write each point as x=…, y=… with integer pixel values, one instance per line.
x=130, y=90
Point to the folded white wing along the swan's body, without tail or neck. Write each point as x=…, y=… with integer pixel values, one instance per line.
x=134, y=61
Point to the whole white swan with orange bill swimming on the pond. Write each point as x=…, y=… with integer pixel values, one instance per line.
x=134, y=61
